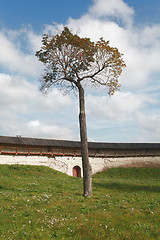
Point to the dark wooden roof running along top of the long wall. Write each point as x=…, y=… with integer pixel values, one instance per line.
x=40, y=142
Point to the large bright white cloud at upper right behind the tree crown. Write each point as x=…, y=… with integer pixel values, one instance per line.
x=139, y=44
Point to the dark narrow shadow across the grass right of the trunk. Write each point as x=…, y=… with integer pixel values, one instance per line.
x=127, y=187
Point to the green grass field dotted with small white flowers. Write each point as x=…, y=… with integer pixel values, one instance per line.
x=40, y=203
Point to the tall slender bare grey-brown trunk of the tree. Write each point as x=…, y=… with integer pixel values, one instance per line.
x=87, y=170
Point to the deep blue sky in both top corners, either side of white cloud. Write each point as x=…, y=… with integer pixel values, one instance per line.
x=37, y=13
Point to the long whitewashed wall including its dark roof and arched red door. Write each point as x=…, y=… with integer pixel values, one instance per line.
x=65, y=156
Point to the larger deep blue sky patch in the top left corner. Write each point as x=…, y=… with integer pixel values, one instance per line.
x=37, y=13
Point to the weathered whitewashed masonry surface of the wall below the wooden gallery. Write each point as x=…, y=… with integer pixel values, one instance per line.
x=65, y=164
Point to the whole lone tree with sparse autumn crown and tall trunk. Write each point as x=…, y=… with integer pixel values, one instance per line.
x=70, y=61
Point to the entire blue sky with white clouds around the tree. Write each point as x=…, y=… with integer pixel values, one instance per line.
x=131, y=115
